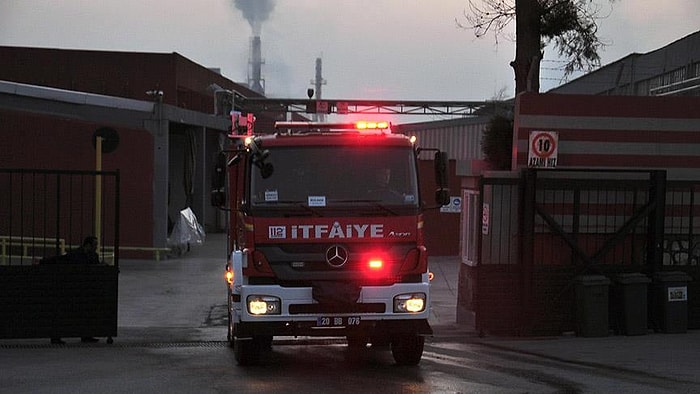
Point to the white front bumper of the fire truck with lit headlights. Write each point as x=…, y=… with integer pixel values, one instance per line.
x=387, y=310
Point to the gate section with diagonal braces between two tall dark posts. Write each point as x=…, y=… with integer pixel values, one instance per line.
x=580, y=223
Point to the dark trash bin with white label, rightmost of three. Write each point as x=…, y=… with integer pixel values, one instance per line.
x=671, y=301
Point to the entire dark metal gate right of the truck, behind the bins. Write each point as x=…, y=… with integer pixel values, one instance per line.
x=543, y=228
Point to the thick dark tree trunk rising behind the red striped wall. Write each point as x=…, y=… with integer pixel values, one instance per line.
x=527, y=46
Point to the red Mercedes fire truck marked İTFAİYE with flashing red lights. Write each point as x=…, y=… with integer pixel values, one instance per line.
x=326, y=237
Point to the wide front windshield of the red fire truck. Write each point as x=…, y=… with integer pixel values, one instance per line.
x=337, y=176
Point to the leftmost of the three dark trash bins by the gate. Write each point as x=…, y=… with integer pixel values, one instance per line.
x=591, y=293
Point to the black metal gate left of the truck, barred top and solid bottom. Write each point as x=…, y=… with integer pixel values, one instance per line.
x=44, y=214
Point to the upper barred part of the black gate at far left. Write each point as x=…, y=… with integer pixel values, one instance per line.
x=46, y=213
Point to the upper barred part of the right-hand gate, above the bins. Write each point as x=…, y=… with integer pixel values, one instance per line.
x=606, y=217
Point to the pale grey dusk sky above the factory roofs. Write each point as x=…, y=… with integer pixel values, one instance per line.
x=370, y=49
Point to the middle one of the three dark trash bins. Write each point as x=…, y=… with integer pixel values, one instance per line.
x=629, y=297
